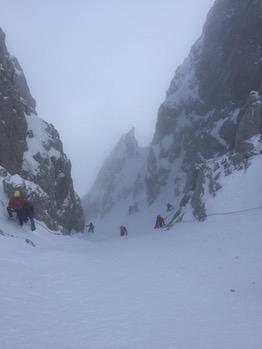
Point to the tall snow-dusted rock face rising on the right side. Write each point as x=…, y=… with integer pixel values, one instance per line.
x=210, y=124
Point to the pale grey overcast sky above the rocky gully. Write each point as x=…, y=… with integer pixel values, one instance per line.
x=98, y=68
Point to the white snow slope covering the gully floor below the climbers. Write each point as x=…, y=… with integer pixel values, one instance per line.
x=197, y=285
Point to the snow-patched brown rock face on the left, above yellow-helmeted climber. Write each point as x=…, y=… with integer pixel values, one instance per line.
x=31, y=152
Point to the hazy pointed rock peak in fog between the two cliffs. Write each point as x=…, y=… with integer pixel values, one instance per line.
x=120, y=182
